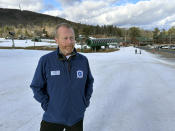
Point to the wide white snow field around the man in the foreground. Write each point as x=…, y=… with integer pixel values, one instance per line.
x=132, y=92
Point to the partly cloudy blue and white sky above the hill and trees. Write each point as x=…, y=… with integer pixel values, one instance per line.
x=146, y=14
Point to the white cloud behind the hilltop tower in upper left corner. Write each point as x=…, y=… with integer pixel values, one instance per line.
x=32, y=5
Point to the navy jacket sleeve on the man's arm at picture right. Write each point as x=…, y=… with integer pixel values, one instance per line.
x=89, y=85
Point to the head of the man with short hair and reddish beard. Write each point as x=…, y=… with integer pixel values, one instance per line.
x=65, y=38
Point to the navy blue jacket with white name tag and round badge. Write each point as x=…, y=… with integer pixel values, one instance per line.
x=63, y=87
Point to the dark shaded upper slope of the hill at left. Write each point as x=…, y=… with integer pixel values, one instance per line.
x=16, y=17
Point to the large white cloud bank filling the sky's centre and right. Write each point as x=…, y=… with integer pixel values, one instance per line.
x=143, y=13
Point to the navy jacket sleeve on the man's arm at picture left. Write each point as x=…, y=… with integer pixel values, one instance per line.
x=39, y=85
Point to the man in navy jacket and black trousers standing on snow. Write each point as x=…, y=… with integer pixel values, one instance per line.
x=63, y=84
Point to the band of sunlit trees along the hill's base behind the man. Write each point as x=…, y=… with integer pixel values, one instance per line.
x=158, y=36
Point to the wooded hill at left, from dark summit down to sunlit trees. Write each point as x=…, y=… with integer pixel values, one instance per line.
x=30, y=23
